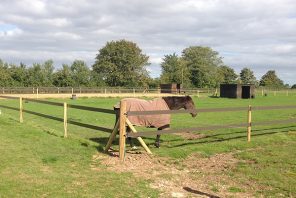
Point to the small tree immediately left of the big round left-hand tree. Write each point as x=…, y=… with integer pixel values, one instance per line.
x=80, y=73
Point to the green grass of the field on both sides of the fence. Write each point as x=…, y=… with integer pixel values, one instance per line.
x=37, y=162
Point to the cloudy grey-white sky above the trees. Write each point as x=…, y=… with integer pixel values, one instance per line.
x=258, y=34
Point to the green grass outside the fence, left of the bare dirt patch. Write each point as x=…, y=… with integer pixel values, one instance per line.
x=37, y=164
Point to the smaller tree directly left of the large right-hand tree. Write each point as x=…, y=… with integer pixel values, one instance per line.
x=174, y=70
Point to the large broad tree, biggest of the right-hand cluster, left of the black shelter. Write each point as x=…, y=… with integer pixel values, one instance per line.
x=202, y=63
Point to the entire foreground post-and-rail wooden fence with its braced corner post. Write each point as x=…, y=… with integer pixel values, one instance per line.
x=123, y=120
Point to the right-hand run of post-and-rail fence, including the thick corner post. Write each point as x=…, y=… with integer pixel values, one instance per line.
x=124, y=121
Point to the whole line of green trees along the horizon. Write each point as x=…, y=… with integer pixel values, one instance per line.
x=123, y=64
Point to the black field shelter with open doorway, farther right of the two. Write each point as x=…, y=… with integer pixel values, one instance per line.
x=237, y=91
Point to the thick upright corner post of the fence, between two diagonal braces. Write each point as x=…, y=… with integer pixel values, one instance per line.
x=122, y=129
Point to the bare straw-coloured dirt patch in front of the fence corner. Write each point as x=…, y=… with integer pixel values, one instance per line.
x=194, y=176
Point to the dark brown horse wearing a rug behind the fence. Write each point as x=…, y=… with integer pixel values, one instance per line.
x=162, y=121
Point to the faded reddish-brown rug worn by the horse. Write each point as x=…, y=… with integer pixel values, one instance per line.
x=157, y=121
